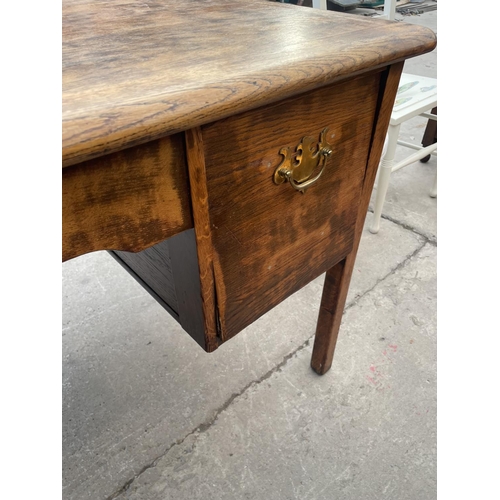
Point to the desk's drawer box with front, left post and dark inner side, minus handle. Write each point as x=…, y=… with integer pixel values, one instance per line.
x=256, y=242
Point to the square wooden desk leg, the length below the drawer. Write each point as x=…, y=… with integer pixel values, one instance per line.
x=330, y=315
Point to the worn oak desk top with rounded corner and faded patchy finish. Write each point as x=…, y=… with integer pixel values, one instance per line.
x=136, y=71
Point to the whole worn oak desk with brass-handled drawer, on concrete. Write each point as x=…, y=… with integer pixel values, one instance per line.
x=225, y=151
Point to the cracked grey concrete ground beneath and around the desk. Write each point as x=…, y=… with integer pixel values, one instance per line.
x=148, y=415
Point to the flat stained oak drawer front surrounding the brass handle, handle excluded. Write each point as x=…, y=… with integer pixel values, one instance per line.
x=270, y=240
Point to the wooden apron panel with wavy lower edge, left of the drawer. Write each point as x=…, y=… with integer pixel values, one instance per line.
x=127, y=200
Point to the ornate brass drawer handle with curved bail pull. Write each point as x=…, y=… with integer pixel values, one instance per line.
x=298, y=166
